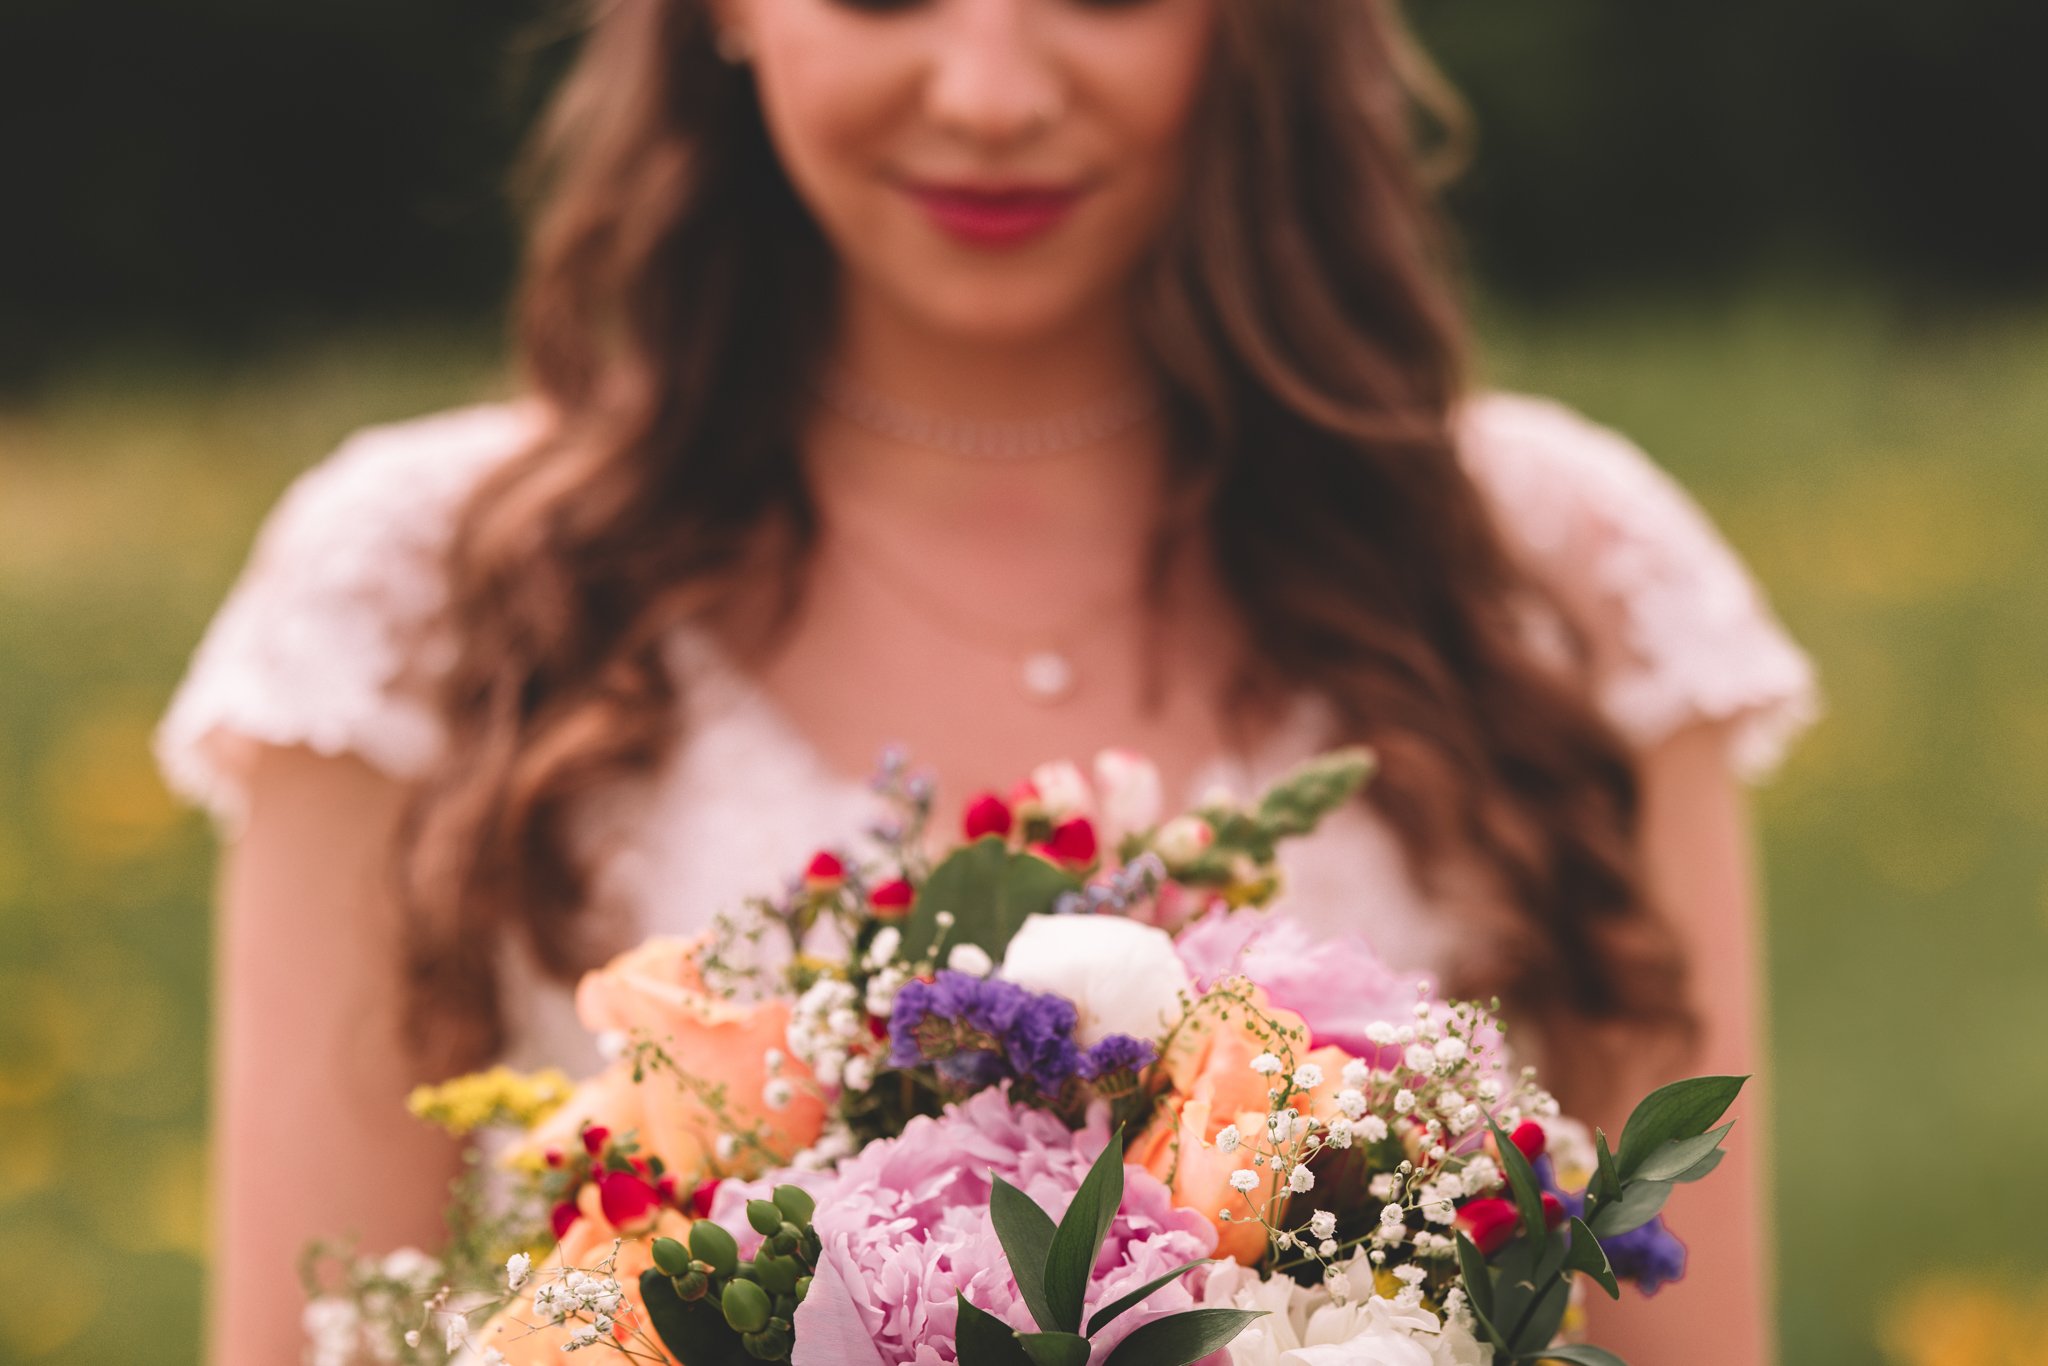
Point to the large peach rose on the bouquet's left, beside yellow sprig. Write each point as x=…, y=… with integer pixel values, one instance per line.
x=656, y=992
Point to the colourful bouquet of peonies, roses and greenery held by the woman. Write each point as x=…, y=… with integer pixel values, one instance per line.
x=1064, y=1093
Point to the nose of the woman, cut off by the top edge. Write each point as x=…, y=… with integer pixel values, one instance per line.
x=994, y=77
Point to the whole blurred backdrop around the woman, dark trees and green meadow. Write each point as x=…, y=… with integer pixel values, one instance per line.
x=1791, y=251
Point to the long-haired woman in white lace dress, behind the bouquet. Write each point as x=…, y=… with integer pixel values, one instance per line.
x=1002, y=378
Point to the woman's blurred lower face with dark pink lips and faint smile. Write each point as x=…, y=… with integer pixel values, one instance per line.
x=990, y=169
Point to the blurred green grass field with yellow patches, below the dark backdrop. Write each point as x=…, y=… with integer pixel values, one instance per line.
x=1885, y=476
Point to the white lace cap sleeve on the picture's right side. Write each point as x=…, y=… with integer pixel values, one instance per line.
x=1678, y=628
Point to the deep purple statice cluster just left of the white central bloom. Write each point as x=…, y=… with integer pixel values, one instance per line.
x=982, y=1029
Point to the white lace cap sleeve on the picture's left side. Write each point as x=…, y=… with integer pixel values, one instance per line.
x=333, y=634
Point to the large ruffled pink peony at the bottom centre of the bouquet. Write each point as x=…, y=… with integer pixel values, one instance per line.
x=906, y=1228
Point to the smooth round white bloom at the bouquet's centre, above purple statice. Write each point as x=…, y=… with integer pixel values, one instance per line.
x=1121, y=976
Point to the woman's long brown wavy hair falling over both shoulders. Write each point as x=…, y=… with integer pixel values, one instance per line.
x=1312, y=349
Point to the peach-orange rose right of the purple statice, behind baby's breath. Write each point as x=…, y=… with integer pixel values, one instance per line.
x=1213, y=1088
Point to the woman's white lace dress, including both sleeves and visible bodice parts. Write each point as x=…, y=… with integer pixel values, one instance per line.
x=333, y=640
